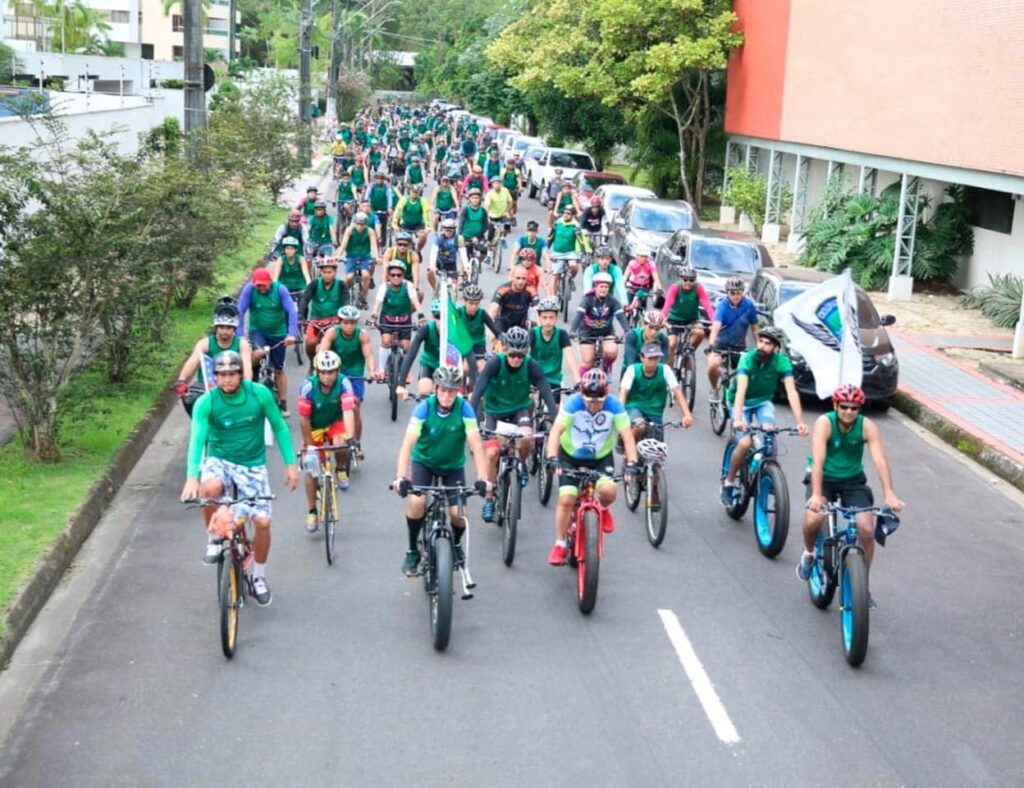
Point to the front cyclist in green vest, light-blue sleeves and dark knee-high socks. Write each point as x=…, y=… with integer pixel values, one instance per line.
x=435, y=448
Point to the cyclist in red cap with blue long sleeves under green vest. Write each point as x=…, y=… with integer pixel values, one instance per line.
x=273, y=323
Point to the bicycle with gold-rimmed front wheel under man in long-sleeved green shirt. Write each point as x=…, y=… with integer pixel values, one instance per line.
x=235, y=579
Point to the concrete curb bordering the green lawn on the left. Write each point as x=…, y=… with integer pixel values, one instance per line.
x=51, y=570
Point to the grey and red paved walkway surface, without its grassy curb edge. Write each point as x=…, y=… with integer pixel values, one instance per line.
x=969, y=400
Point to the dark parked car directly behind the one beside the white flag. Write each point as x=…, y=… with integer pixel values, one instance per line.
x=716, y=255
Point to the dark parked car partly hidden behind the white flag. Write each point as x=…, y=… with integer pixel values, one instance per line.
x=771, y=288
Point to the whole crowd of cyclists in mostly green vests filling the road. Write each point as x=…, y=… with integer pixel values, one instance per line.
x=375, y=214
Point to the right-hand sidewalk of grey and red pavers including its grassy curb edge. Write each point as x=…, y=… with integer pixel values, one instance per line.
x=974, y=413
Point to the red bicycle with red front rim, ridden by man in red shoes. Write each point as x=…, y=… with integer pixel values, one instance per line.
x=585, y=537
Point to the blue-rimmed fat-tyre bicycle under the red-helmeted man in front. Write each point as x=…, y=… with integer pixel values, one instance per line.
x=840, y=563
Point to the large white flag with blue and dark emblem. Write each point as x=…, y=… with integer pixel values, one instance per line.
x=822, y=325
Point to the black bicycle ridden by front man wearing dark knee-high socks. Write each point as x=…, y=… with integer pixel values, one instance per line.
x=437, y=550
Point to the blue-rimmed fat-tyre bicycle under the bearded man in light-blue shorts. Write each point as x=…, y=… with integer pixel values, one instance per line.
x=761, y=479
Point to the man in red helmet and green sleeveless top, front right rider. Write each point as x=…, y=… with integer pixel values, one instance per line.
x=838, y=471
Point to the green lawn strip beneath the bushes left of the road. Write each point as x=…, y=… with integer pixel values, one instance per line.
x=36, y=499
